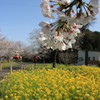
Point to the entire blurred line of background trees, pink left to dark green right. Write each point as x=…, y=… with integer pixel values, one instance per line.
x=11, y=48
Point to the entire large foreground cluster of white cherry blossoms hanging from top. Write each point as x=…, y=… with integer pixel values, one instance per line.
x=61, y=34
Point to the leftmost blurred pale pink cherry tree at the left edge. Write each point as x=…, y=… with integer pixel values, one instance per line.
x=10, y=48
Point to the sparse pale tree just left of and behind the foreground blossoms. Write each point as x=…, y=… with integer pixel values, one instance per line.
x=35, y=38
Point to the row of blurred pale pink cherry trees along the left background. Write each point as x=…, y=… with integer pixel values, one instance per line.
x=13, y=48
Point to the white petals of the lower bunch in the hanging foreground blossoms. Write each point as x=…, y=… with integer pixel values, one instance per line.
x=61, y=40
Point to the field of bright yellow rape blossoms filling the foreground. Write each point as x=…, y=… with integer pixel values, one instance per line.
x=63, y=83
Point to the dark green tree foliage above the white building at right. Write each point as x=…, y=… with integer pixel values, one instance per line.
x=91, y=40
